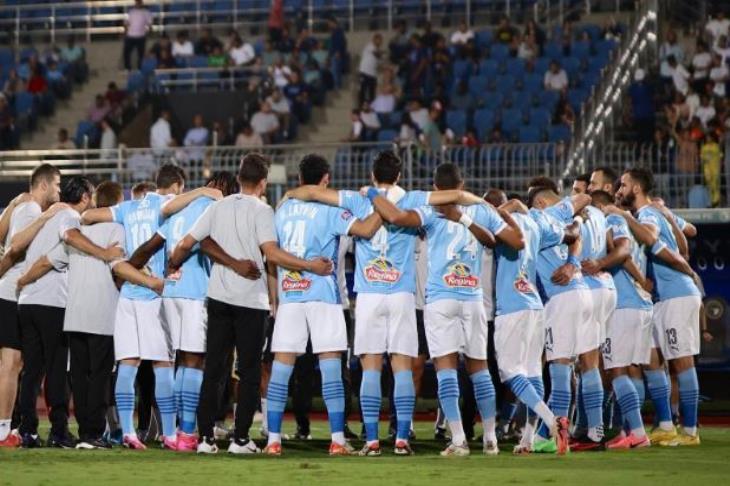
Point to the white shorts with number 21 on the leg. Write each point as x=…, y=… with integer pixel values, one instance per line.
x=570, y=329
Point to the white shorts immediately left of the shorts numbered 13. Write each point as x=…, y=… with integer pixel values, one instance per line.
x=628, y=338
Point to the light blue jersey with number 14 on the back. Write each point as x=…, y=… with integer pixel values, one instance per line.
x=309, y=230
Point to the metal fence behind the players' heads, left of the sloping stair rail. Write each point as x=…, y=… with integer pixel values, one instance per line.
x=508, y=166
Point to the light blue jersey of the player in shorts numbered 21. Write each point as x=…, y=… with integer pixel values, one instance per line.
x=552, y=258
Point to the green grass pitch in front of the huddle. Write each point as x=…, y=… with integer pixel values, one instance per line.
x=308, y=463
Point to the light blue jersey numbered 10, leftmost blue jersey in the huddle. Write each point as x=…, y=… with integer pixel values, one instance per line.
x=141, y=219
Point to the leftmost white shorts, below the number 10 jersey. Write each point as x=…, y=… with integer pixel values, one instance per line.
x=139, y=331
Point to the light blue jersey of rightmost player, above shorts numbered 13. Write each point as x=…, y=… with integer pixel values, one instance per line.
x=668, y=282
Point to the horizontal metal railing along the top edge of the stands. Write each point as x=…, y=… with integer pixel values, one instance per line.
x=27, y=19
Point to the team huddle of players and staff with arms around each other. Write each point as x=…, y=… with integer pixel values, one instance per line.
x=596, y=285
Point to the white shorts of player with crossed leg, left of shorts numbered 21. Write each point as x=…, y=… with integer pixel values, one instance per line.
x=518, y=343
